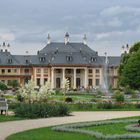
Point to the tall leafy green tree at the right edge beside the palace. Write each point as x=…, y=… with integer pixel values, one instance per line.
x=129, y=70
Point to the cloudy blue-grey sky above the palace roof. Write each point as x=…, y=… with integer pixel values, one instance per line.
x=108, y=24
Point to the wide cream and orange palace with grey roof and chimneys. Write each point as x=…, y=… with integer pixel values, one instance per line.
x=81, y=65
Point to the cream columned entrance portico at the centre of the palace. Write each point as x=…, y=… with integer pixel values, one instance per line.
x=77, y=76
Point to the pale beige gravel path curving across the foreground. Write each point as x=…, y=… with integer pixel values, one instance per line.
x=8, y=128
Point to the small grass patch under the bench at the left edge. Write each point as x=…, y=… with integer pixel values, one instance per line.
x=4, y=118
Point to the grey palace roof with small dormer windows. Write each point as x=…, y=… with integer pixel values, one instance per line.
x=57, y=53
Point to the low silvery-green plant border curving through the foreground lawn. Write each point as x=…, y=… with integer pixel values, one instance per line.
x=75, y=128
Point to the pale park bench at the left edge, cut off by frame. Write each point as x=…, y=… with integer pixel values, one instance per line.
x=3, y=106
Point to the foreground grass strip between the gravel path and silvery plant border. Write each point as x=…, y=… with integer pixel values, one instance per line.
x=48, y=134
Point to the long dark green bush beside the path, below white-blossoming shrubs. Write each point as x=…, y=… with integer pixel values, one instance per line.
x=41, y=110
